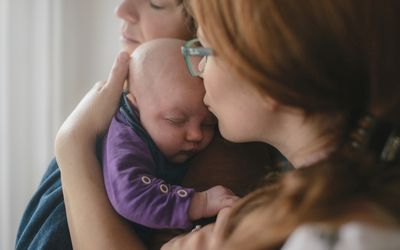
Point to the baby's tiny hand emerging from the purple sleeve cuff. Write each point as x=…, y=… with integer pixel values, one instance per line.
x=208, y=203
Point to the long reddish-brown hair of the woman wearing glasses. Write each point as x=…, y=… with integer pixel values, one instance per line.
x=336, y=58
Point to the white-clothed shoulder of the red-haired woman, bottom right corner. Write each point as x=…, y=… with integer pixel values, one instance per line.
x=351, y=236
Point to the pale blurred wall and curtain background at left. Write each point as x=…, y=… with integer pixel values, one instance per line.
x=51, y=52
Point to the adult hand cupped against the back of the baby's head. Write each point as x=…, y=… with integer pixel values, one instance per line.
x=93, y=114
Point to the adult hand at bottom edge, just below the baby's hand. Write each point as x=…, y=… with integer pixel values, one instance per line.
x=209, y=237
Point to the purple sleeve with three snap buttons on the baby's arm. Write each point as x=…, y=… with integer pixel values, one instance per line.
x=132, y=188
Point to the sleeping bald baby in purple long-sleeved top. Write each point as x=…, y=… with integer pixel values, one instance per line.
x=162, y=122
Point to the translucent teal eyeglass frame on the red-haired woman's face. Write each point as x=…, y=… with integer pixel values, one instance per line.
x=188, y=52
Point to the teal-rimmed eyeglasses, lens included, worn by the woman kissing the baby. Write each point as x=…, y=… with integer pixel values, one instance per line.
x=193, y=49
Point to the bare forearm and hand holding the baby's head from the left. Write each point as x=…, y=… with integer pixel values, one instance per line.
x=92, y=221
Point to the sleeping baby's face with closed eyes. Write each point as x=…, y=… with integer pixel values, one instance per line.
x=177, y=119
